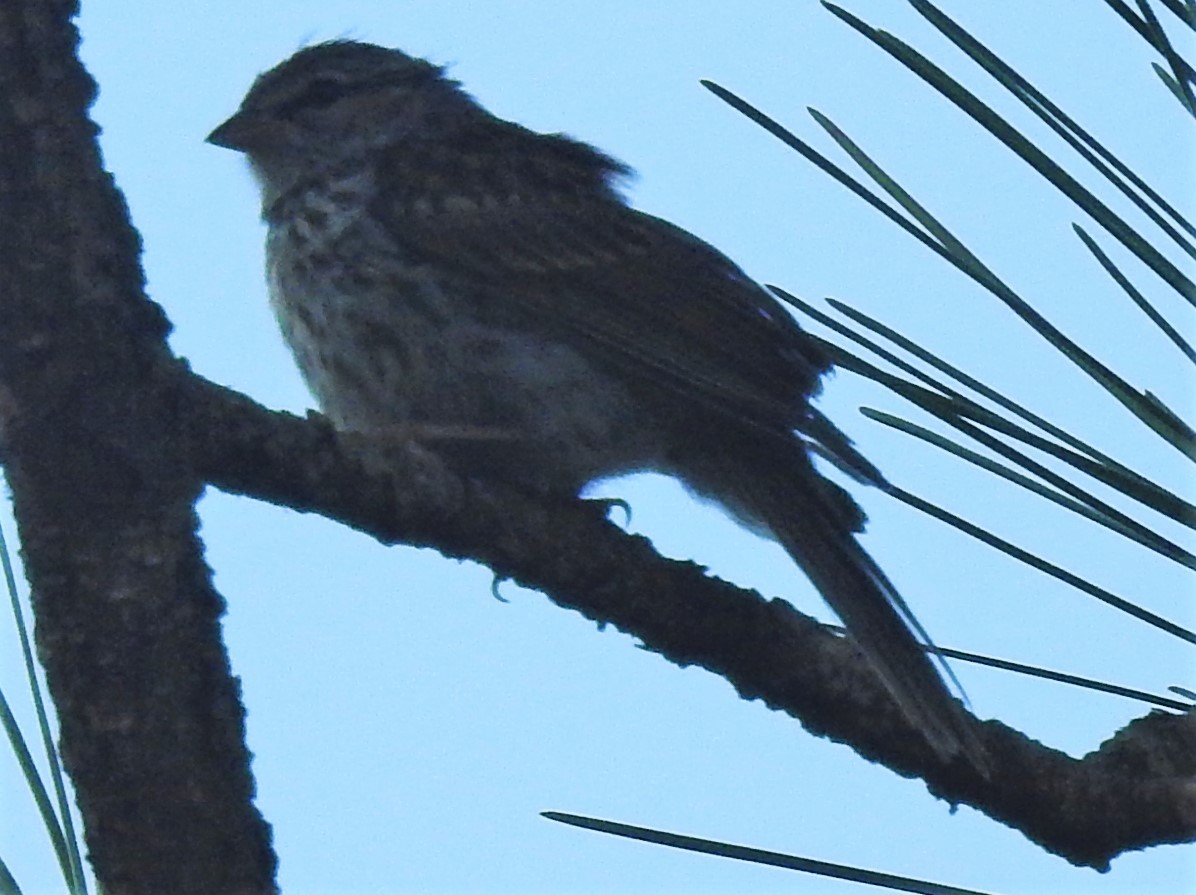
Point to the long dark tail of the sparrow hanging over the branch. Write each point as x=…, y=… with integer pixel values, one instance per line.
x=816, y=522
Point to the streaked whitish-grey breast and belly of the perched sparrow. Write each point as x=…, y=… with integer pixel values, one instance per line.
x=383, y=342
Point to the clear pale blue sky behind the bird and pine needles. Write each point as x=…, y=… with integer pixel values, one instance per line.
x=407, y=727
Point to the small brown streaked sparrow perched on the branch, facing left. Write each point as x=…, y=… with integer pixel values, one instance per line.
x=431, y=264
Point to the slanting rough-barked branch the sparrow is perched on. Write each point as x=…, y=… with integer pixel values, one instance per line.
x=1085, y=811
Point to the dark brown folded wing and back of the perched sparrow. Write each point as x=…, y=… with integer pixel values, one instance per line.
x=535, y=223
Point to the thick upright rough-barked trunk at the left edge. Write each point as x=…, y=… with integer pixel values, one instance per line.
x=127, y=623
